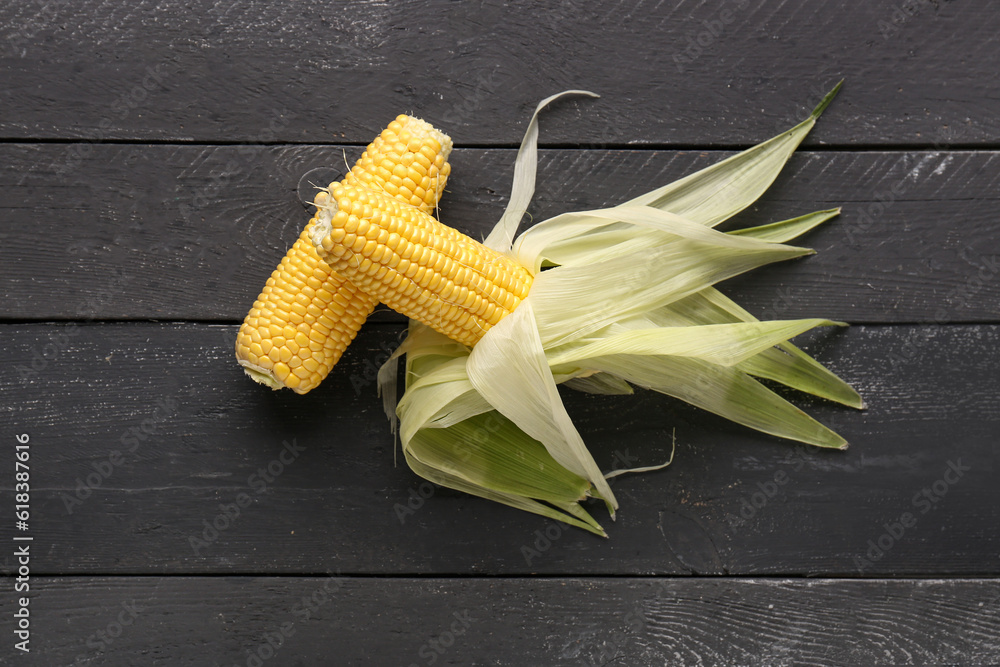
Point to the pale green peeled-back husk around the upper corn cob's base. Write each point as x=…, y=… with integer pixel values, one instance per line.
x=621, y=296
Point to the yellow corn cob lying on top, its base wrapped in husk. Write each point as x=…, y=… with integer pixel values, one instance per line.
x=416, y=265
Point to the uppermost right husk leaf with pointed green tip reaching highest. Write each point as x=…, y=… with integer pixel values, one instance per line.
x=718, y=192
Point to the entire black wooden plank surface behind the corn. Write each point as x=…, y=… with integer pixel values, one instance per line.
x=151, y=158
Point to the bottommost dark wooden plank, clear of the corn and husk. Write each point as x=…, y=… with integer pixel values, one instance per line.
x=306, y=621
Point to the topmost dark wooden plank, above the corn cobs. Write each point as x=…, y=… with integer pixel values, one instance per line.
x=674, y=74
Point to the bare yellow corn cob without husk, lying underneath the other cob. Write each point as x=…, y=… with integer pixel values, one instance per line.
x=307, y=314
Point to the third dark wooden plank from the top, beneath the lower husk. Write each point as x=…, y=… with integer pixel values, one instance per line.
x=146, y=436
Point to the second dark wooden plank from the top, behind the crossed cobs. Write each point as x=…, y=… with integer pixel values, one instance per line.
x=181, y=232
